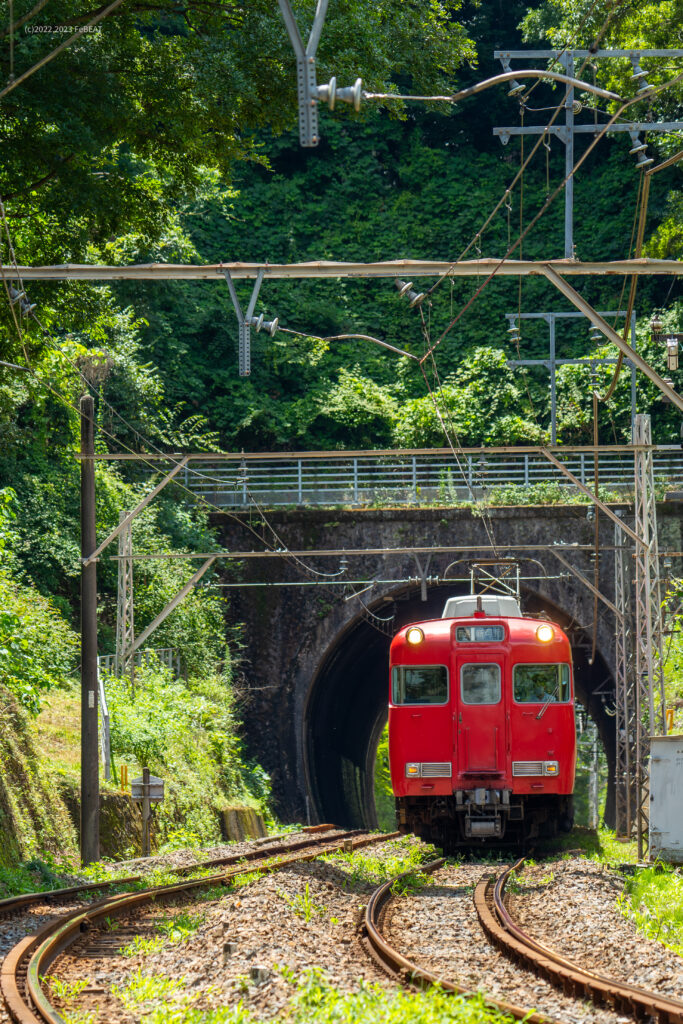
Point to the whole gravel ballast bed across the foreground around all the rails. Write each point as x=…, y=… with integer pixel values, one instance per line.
x=252, y=940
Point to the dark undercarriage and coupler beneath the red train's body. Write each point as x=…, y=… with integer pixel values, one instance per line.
x=485, y=818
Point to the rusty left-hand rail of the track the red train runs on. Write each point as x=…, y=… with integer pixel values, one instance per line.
x=409, y=973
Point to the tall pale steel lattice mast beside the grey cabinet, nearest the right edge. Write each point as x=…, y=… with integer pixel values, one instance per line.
x=651, y=709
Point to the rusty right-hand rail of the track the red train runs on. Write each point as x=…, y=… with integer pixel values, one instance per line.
x=571, y=977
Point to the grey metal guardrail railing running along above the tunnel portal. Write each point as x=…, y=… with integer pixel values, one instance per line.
x=363, y=479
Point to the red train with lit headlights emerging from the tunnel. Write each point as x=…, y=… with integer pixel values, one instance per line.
x=482, y=726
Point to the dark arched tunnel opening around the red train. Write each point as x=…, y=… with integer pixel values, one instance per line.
x=348, y=704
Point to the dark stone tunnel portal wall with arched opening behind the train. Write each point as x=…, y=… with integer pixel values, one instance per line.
x=316, y=672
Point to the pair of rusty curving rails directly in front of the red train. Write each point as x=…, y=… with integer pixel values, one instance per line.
x=505, y=933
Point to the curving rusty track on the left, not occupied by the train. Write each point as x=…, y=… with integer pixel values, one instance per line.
x=29, y=962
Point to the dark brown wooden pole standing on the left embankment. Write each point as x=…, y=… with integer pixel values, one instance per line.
x=90, y=732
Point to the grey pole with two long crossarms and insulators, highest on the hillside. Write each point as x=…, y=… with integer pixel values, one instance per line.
x=570, y=130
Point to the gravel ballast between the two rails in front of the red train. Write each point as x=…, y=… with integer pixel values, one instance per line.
x=440, y=930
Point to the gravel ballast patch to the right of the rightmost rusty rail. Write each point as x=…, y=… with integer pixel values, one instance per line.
x=583, y=895
